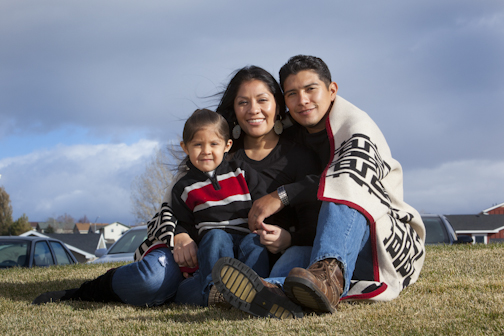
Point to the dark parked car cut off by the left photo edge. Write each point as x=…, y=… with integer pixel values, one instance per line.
x=33, y=251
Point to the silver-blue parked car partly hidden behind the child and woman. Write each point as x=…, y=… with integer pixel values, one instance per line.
x=124, y=248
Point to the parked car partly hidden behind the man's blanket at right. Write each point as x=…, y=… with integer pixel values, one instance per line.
x=439, y=231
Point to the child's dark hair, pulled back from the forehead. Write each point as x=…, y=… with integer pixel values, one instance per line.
x=202, y=118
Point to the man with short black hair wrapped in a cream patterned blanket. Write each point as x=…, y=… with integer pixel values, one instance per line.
x=369, y=243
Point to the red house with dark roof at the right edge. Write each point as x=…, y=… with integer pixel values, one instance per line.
x=482, y=228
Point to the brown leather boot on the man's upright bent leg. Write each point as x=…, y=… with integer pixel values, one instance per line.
x=319, y=287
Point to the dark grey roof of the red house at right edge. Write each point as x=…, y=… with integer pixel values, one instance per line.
x=476, y=223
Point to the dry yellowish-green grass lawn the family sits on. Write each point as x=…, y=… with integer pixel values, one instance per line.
x=460, y=292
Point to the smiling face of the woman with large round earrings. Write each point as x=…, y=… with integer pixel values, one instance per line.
x=255, y=108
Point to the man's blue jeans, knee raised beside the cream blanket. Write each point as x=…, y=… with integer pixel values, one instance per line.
x=342, y=233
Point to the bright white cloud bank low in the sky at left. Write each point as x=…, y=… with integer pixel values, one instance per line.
x=92, y=180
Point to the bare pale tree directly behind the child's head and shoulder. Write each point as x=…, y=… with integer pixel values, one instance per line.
x=148, y=189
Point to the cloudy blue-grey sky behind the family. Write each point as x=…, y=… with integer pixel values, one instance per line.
x=90, y=89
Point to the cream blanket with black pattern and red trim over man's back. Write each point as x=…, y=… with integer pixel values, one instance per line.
x=363, y=175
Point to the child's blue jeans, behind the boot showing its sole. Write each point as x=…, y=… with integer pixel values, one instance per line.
x=215, y=245
